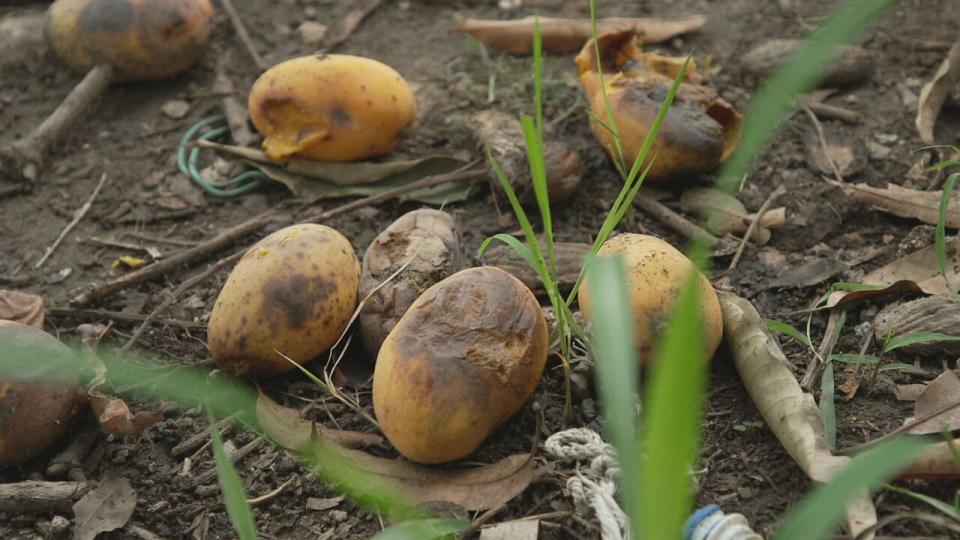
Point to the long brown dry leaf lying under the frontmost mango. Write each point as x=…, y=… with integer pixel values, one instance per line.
x=478, y=488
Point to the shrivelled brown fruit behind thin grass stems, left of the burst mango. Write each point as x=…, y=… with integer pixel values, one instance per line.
x=502, y=135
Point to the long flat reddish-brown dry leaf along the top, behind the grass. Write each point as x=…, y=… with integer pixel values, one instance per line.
x=568, y=35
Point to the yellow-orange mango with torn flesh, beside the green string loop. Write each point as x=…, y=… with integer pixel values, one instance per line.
x=331, y=107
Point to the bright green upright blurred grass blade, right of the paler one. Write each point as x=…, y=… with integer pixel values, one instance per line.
x=673, y=419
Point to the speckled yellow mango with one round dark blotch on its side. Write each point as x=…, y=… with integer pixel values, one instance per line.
x=293, y=292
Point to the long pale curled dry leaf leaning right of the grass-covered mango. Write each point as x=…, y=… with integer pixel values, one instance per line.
x=791, y=413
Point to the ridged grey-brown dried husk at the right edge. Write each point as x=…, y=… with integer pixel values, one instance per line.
x=937, y=314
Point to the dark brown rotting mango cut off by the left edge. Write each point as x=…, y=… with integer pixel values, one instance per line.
x=34, y=415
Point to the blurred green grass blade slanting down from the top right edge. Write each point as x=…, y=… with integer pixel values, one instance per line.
x=775, y=98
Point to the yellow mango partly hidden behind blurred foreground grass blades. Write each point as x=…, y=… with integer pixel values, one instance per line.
x=656, y=272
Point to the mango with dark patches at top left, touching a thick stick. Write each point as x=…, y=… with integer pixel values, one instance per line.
x=141, y=39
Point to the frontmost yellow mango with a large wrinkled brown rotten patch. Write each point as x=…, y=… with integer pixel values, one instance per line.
x=462, y=360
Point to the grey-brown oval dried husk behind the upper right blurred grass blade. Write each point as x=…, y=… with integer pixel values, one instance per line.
x=852, y=65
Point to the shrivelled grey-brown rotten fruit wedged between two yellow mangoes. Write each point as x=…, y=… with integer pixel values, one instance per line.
x=427, y=239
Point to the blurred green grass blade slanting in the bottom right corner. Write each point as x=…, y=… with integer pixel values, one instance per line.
x=820, y=513
